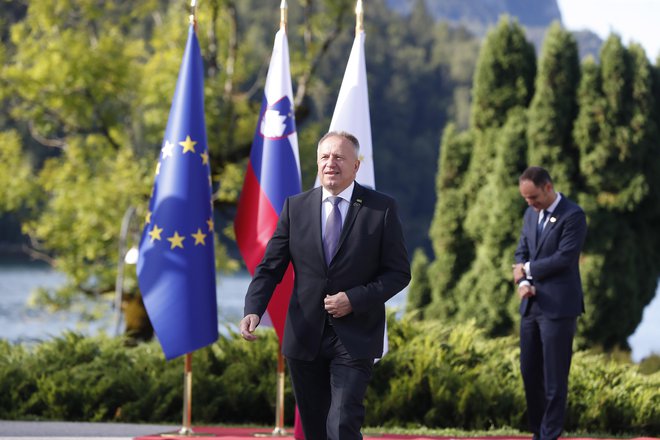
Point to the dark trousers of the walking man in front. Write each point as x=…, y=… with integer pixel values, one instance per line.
x=330, y=391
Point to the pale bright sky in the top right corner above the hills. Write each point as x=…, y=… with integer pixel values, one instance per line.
x=633, y=20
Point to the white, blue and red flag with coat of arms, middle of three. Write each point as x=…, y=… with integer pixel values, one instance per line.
x=272, y=175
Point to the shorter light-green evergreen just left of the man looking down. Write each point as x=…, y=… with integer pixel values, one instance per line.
x=485, y=290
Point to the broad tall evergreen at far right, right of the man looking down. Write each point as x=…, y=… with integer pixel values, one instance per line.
x=617, y=135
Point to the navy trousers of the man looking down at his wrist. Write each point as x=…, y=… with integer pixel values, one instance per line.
x=546, y=346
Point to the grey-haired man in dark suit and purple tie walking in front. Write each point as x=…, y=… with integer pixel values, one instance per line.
x=347, y=248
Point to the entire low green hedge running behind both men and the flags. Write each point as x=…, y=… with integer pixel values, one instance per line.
x=434, y=375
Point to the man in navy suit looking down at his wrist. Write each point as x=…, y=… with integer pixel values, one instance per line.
x=548, y=278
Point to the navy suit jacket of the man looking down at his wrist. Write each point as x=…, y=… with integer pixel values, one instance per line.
x=554, y=259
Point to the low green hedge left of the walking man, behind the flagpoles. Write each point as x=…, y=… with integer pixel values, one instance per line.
x=100, y=379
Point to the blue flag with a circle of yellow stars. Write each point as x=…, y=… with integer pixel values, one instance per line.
x=176, y=264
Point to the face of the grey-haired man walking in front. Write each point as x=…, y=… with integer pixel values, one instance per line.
x=337, y=164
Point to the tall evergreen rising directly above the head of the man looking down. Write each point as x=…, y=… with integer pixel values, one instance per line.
x=554, y=108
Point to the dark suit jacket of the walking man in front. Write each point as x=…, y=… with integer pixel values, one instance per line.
x=371, y=265
